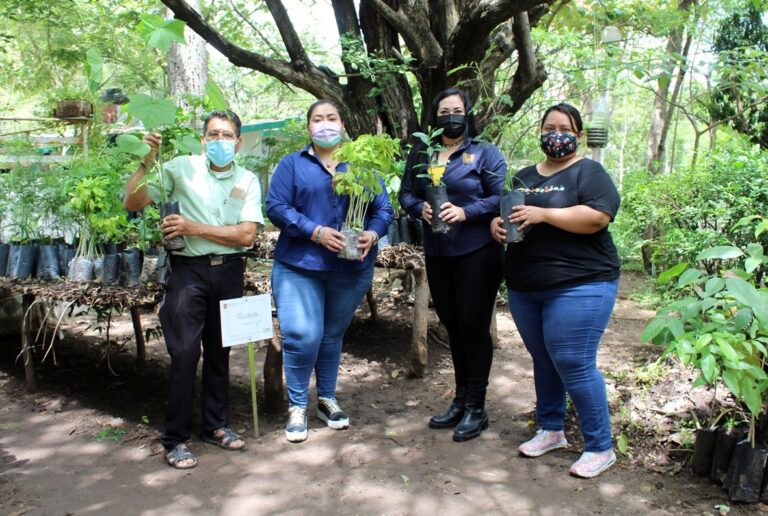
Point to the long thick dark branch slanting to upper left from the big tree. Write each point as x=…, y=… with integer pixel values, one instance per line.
x=301, y=74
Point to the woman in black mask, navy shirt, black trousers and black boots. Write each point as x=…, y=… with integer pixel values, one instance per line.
x=464, y=266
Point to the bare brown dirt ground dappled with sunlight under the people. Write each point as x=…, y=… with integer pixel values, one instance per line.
x=86, y=441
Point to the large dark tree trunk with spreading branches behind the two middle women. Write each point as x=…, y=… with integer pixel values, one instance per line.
x=440, y=35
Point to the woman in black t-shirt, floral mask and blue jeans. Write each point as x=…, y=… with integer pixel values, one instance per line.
x=562, y=280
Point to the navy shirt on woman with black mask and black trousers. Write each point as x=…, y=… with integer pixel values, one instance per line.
x=473, y=177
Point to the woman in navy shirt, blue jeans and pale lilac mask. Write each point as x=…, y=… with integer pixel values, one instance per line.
x=316, y=293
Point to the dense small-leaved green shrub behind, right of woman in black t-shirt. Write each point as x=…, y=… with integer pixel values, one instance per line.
x=693, y=209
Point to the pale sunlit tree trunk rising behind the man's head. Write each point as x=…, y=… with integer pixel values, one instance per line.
x=188, y=66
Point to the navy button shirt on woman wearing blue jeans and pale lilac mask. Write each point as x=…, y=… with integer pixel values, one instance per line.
x=301, y=198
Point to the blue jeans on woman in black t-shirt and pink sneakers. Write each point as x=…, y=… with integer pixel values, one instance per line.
x=561, y=329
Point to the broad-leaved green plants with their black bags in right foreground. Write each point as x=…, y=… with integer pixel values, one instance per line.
x=719, y=326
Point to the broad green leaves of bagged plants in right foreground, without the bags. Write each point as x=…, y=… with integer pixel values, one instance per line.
x=719, y=324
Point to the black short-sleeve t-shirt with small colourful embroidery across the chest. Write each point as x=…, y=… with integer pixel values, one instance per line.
x=549, y=257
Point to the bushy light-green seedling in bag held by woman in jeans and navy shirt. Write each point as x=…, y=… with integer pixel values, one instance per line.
x=369, y=159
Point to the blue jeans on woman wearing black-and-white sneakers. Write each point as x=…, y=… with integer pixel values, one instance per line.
x=314, y=309
